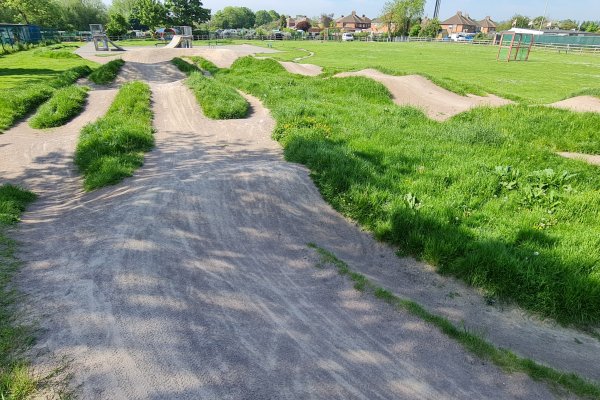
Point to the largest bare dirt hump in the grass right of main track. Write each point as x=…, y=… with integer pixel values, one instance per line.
x=438, y=103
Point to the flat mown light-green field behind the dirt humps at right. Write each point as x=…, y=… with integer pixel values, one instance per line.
x=545, y=78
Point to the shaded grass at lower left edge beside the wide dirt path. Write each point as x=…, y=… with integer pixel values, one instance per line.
x=15, y=338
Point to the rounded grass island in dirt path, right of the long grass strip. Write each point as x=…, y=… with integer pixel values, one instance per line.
x=217, y=99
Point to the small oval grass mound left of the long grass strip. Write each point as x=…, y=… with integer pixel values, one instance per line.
x=65, y=104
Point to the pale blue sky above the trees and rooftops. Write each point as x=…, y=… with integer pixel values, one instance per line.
x=498, y=9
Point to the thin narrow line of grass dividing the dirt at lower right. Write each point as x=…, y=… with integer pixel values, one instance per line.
x=503, y=358
